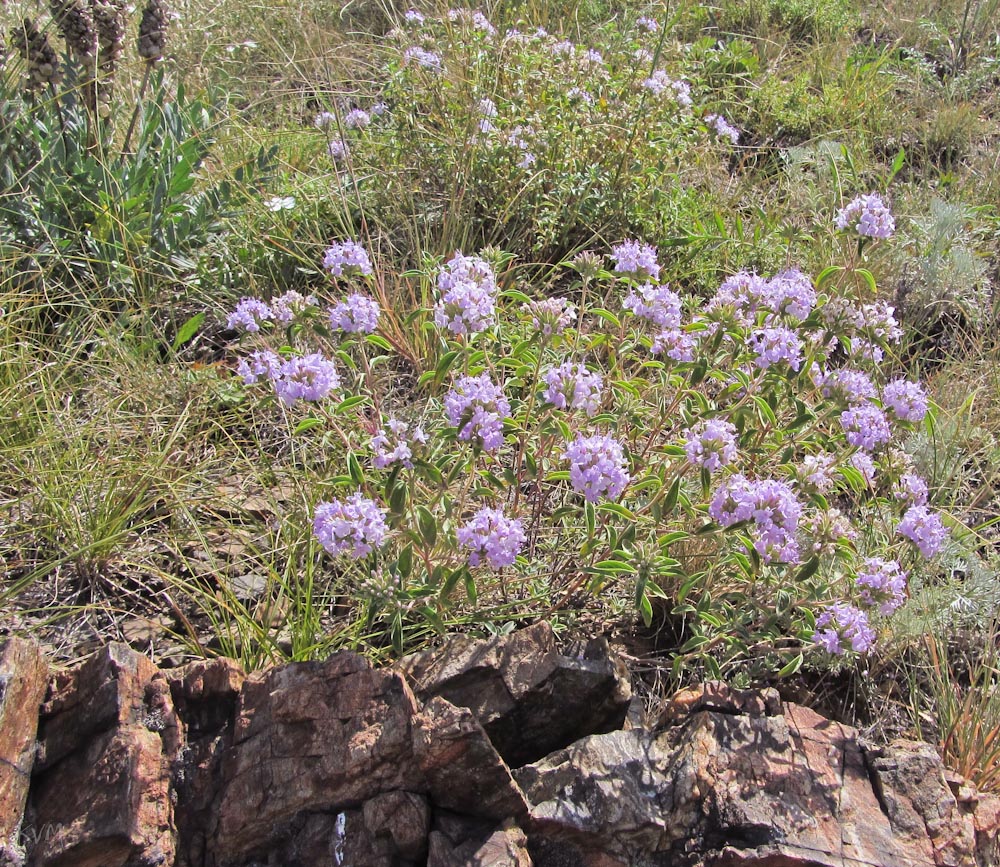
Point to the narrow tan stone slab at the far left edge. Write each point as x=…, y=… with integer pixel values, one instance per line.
x=23, y=679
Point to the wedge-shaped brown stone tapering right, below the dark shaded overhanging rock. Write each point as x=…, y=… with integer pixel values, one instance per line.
x=462, y=769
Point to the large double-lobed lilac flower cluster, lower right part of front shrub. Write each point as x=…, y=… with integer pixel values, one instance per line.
x=771, y=505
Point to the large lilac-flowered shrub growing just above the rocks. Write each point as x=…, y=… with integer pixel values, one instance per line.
x=754, y=481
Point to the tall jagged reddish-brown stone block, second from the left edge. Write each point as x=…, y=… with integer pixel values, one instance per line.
x=102, y=795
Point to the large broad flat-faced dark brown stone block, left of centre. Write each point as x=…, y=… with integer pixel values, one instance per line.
x=311, y=738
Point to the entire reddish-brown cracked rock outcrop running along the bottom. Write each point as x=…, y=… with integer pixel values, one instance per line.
x=501, y=753
